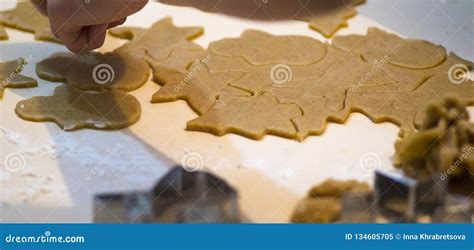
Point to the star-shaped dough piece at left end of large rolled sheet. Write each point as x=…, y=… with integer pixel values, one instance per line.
x=167, y=49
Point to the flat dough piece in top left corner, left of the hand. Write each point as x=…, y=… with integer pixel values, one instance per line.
x=27, y=18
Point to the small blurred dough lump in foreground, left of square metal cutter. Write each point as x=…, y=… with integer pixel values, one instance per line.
x=323, y=204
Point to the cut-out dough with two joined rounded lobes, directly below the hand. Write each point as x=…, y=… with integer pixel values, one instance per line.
x=93, y=96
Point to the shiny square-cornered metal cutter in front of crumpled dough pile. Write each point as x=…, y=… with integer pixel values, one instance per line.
x=404, y=199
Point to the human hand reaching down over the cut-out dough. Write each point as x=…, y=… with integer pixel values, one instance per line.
x=82, y=24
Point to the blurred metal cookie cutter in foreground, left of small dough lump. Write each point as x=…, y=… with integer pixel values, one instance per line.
x=179, y=197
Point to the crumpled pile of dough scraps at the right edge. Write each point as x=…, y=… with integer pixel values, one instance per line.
x=443, y=144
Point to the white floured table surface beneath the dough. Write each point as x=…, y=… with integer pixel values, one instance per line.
x=63, y=170
